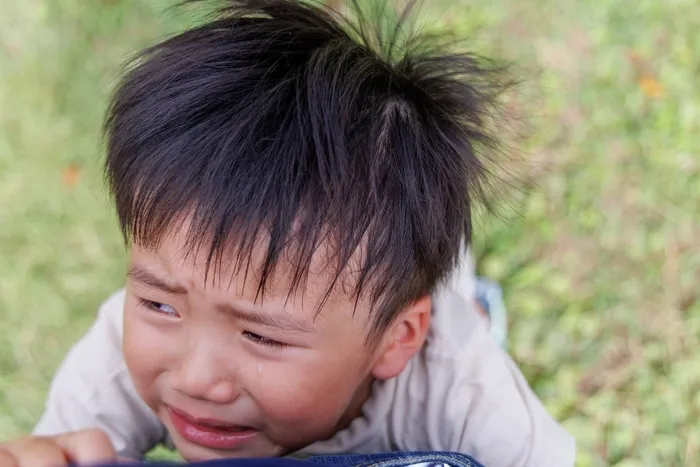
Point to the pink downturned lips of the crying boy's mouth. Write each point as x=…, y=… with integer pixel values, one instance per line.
x=209, y=436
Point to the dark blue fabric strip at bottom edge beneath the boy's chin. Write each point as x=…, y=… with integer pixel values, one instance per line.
x=390, y=459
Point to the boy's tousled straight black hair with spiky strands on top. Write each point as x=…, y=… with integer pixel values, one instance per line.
x=280, y=120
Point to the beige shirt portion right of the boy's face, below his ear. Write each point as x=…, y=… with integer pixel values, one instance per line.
x=461, y=393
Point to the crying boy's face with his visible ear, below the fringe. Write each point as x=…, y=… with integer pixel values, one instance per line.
x=232, y=377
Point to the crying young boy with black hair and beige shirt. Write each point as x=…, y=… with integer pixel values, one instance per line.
x=297, y=209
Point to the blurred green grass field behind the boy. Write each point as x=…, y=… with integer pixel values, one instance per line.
x=599, y=260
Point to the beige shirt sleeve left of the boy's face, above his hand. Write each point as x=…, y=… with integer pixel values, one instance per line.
x=92, y=389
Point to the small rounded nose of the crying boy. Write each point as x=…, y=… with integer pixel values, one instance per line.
x=200, y=377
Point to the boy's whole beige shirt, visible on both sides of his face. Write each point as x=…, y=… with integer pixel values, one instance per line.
x=461, y=393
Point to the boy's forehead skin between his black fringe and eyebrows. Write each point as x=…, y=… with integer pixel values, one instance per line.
x=239, y=272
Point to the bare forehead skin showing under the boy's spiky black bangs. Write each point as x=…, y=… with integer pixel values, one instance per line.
x=239, y=272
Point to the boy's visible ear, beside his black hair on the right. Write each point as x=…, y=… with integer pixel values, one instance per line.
x=403, y=339
